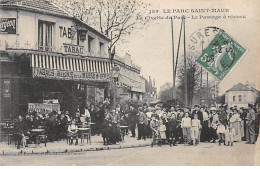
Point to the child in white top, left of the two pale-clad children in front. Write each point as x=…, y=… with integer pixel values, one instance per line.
x=186, y=125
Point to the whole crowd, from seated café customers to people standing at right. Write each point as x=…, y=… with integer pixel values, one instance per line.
x=166, y=125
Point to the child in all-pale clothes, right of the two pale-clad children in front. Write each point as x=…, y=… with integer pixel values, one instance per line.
x=195, y=123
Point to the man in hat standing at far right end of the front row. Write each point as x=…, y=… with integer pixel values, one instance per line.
x=250, y=124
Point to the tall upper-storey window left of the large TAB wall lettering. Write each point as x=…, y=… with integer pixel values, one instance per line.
x=45, y=35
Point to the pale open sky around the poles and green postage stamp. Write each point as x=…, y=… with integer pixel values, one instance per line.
x=151, y=48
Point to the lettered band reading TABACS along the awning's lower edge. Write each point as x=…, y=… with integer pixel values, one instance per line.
x=70, y=75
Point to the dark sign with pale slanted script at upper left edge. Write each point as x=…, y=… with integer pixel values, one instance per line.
x=8, y=25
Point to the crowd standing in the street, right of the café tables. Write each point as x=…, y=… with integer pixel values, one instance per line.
x=190, y=127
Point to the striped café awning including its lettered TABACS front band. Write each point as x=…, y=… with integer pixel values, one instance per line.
x=70, y=68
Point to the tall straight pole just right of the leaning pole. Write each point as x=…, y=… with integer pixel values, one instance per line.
x=185, y=69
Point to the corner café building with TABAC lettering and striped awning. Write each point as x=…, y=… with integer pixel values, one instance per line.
x=48, y=59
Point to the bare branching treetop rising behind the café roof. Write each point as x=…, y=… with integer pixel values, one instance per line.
x=114, y=18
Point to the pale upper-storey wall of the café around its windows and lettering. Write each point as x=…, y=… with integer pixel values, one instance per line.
x=27, y=32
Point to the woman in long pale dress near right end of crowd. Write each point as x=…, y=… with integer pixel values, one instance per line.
x=235, y=122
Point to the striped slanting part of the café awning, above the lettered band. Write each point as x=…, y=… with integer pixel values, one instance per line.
x=66, y=63
